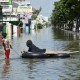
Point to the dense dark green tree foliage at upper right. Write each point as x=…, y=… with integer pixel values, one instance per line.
x=66, y=11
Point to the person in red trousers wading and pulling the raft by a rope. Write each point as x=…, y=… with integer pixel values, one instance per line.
x=6, y=44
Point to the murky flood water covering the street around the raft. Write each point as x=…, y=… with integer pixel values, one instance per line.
x=46, y=69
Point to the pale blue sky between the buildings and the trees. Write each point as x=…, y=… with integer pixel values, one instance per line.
x=46, y=5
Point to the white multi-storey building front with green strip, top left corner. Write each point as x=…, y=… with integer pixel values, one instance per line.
x=7, y=10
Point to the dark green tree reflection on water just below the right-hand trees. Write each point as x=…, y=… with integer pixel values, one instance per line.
x=58, y=34
